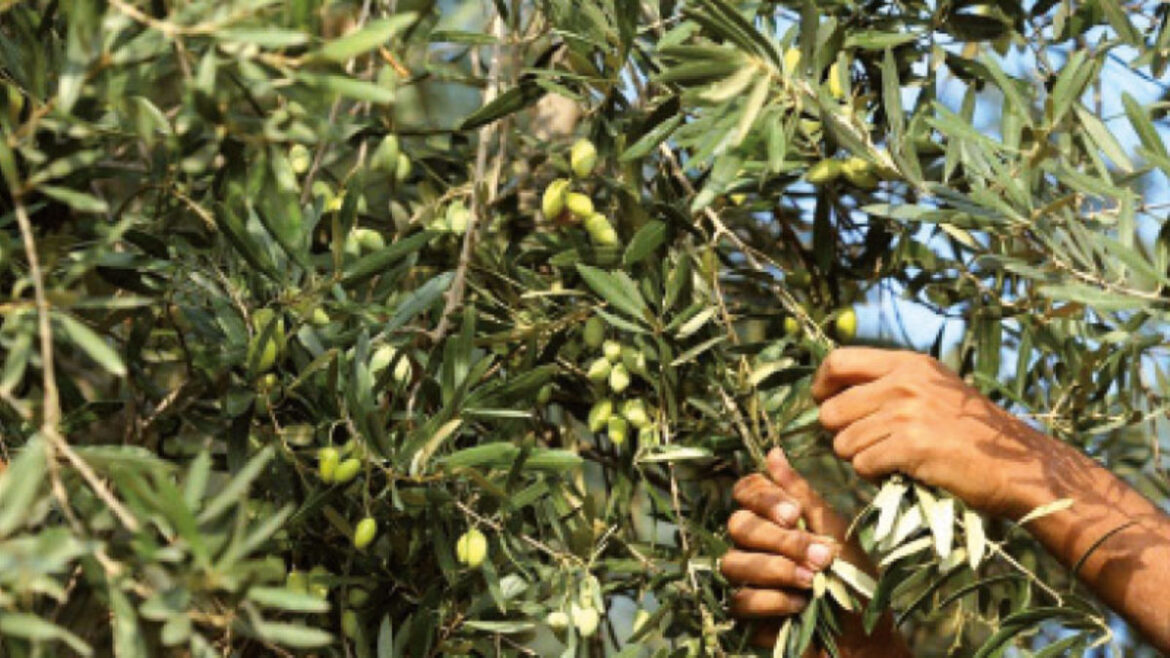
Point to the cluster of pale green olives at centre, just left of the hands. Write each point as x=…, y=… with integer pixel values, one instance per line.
x=615, y=371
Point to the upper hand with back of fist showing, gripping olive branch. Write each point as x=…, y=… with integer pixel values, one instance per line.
x=900, y=412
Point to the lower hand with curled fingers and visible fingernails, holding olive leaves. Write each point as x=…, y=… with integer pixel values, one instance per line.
x=777, y=567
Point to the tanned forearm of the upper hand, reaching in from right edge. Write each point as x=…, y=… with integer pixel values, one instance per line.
x=1130, y=571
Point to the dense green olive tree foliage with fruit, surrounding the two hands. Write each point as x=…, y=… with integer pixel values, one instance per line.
x=411, y=330
